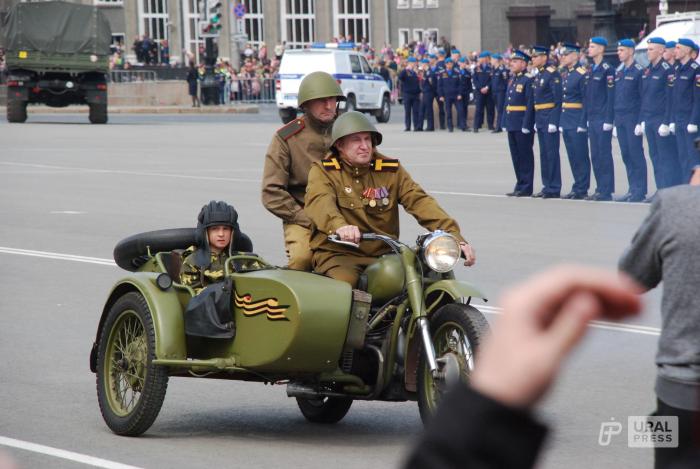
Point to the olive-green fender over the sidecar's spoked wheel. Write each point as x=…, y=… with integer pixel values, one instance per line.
x=166, y=311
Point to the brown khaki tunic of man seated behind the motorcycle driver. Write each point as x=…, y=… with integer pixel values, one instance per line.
x=294, y=148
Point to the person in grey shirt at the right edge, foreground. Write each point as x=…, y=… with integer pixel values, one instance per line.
x=667, y=248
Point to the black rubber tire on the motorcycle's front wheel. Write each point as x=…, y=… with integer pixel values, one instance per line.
x=470, y=326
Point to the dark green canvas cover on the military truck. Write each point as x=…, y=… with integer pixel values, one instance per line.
x=37, y=34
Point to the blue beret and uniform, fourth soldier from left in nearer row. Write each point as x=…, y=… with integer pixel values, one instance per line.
x=598, y=107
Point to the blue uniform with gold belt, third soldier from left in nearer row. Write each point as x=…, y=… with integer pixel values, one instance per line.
x=573, y=125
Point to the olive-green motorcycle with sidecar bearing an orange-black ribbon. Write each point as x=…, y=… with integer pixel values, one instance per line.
x=406, y=333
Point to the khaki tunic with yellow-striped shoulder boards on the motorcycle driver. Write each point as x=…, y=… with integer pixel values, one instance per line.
x=334, y=199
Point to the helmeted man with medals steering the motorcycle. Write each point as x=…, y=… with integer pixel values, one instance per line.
x=357, y=190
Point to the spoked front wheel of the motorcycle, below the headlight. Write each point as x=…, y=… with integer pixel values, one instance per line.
x=456, y=330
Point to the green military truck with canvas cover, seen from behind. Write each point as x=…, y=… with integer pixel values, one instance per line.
x=57, y=54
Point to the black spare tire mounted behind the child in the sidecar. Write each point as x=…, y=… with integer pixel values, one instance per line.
x=129, y=253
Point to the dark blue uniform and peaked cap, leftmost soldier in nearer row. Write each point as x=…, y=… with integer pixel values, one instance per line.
x=519, y=117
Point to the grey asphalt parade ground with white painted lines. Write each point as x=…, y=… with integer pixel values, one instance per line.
x=69, y=188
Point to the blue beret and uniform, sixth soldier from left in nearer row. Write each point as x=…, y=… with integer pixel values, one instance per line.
x=657, y=89
